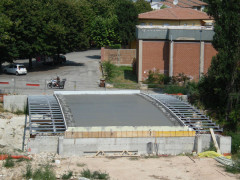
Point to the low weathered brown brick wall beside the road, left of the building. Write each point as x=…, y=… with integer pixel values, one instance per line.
x=118, y=56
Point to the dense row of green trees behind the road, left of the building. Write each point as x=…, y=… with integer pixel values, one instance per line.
x=46, y=27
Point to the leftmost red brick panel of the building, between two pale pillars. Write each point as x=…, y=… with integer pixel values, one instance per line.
x=155, y=56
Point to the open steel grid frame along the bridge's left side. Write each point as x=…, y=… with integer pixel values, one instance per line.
x=45, y=116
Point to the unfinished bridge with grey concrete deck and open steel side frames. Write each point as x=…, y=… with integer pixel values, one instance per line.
x=86, y=122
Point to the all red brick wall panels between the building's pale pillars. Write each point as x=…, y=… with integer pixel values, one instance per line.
x=186, y=57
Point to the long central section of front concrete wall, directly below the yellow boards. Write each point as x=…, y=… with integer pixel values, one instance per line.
x=167, y=145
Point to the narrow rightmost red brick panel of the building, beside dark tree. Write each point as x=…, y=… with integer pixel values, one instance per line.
x=209, y=52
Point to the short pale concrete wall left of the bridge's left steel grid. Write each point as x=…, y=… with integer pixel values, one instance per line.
x=15, y=103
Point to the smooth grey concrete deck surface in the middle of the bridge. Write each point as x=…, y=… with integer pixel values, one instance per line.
x=114, y=110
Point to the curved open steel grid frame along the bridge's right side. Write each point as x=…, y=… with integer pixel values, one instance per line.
x=186, y=114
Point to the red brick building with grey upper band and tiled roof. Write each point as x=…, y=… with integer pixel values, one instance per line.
x=171, y=48
